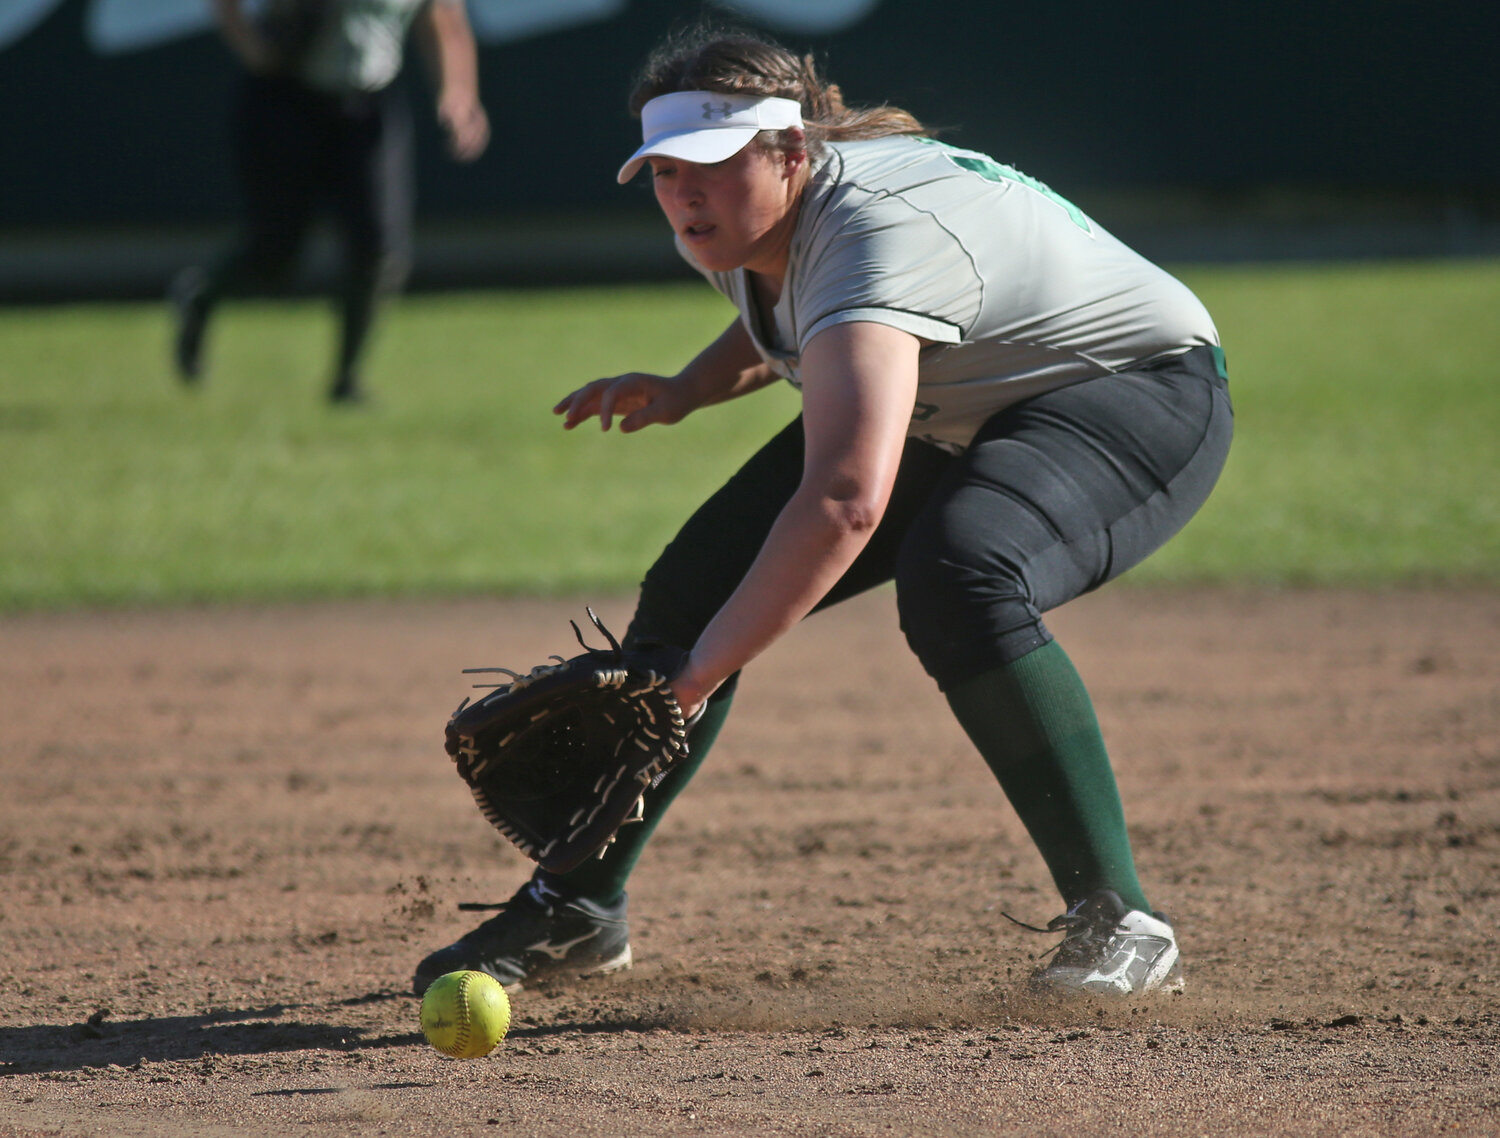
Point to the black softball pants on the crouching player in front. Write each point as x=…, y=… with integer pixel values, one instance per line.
x=1055, y=497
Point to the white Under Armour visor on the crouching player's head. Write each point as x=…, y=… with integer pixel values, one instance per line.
x=707, y=127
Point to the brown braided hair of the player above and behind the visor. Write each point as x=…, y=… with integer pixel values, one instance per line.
x=706, y=59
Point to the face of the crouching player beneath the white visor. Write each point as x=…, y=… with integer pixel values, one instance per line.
x=737, y=214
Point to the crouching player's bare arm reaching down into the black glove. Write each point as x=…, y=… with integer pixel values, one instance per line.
x=859, y=391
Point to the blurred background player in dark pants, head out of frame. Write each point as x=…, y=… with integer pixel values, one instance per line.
x=320, y=124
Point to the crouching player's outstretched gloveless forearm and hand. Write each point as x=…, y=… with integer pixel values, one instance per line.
x=725, y=370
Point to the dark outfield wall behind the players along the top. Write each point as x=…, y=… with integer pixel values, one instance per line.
x=115, y=110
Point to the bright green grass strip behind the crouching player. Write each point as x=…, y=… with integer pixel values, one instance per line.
x=1367, y=404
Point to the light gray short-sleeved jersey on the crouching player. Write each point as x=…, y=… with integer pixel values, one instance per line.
x=1013, y=289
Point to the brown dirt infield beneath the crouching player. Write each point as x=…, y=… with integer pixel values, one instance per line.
x=227, y=836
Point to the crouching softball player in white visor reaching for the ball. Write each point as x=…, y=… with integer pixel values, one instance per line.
x=1003, y=409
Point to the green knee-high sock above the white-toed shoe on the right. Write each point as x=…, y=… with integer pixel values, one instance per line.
x=1034, y=723
